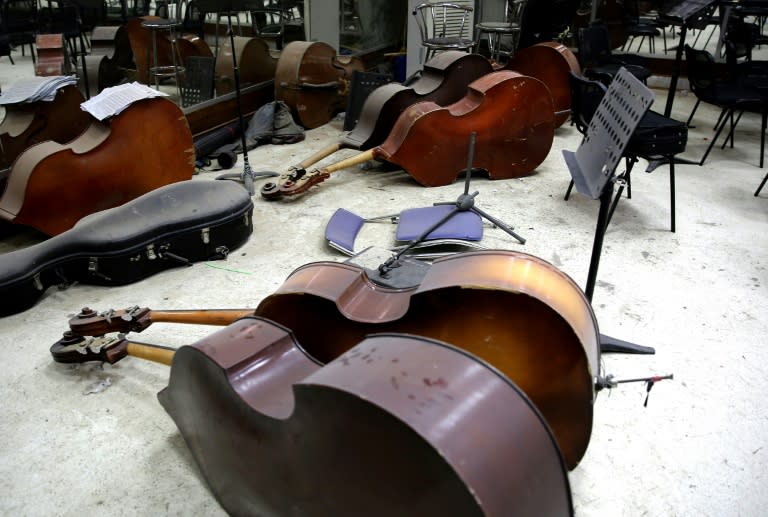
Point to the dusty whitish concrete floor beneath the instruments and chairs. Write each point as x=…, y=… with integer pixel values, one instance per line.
x=698, y=296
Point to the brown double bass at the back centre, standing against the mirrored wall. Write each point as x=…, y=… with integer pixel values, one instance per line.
x=313, y=81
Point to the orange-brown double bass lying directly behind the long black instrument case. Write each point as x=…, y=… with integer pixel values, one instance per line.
x=51, y=186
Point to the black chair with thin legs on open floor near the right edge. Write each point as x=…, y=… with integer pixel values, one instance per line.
x=733, y=96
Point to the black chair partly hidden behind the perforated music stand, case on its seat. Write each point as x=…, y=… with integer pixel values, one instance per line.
x=656, y=139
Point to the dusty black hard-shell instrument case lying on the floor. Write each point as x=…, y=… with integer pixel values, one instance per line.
x=177, y=224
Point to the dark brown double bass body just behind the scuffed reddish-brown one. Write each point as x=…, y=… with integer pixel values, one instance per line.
x=444, y=80
